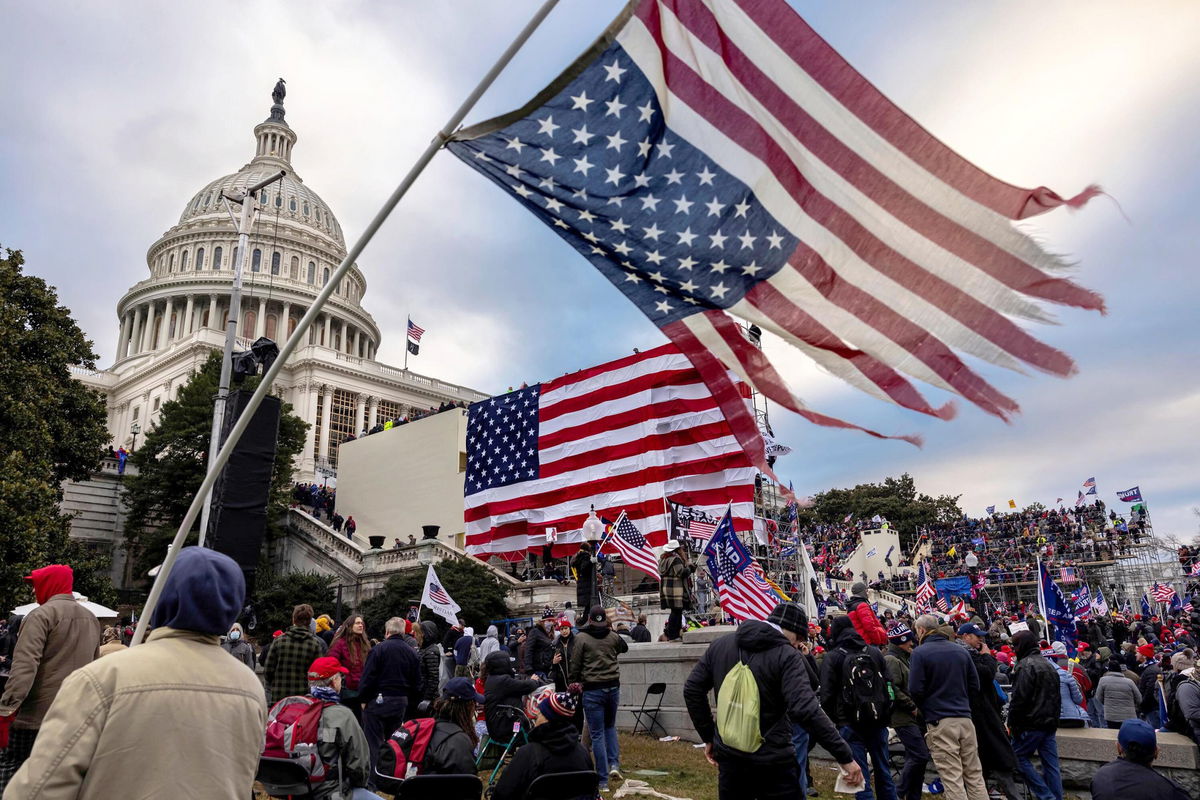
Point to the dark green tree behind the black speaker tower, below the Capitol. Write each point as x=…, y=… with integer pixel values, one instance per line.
x=173, y=460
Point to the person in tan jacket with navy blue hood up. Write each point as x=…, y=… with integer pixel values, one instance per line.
x=173, y=718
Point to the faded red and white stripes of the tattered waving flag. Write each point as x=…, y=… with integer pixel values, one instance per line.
x=909, y=257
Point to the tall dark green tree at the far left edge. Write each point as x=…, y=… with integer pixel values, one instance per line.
x=52, y=429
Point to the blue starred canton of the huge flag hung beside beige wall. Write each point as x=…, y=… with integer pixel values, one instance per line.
x=502, y=441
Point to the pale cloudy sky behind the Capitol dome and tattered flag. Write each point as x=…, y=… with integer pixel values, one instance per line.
x=116, y=115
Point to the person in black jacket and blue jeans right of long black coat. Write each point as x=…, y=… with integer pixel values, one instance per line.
x=1034, y=717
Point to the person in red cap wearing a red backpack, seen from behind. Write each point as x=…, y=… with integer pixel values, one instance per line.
x=322, y=735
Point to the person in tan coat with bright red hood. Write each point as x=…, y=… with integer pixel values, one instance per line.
x=57, y=639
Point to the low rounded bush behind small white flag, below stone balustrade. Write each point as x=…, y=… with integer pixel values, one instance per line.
x=471, y=585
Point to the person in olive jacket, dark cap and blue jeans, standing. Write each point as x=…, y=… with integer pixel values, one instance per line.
x=595, y=666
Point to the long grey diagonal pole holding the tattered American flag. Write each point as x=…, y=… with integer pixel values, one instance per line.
x=307, y=322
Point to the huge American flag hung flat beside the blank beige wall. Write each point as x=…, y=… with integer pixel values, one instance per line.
x=621, y=436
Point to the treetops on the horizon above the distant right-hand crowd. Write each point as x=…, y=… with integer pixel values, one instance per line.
x=896, y=500
